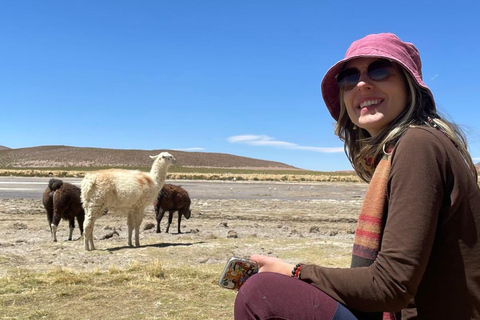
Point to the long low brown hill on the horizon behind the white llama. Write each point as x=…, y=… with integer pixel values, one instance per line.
x=65, y=156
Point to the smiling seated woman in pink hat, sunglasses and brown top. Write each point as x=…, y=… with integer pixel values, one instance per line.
x=416, y=252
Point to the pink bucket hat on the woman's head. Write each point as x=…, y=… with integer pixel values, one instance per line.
x=381, y=45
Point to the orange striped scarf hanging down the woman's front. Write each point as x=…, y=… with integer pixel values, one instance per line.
x=371, y=221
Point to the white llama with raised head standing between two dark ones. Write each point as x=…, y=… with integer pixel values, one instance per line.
x=126, y=191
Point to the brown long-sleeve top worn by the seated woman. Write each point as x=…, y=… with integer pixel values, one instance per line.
x=430, y=250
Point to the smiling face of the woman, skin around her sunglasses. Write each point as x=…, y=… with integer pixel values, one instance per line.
x=373, y=105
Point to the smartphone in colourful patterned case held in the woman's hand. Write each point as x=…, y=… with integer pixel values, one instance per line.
x=236, y=272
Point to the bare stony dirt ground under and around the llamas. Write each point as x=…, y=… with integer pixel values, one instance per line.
x=330, y=215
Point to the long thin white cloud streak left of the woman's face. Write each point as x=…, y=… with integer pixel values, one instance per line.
x=262, y=140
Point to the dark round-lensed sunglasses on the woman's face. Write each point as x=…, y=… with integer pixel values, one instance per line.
x=379, y=70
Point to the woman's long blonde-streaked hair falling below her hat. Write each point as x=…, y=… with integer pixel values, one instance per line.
x=364, y=151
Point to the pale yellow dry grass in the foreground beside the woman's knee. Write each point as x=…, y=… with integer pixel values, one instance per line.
x=142, y=290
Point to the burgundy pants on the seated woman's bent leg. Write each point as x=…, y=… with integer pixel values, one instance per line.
x=269, y=296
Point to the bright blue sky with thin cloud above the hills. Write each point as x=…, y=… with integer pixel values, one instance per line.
x=237, y=77
